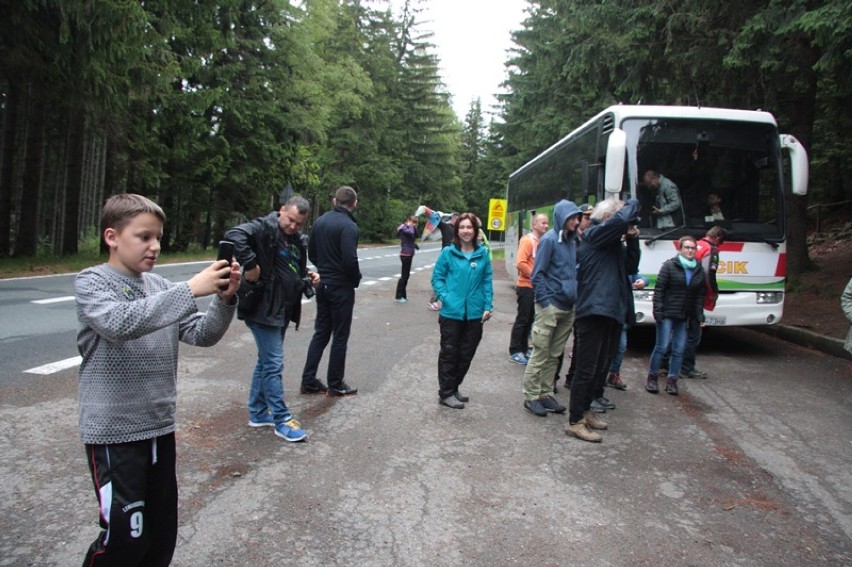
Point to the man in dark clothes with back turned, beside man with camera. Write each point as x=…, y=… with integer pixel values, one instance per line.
x=333, y=248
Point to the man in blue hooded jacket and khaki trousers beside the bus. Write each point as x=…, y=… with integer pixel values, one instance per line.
x=554, y=282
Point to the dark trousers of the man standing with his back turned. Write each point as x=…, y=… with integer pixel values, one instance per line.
x=335, y=305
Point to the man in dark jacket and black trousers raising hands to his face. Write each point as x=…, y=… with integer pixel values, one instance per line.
x=604, y=302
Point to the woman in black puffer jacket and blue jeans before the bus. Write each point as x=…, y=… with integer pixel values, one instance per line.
x=678, y=296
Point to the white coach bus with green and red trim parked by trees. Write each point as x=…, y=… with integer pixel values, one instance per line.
x=734, y=156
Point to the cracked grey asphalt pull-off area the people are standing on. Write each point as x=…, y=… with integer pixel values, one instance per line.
x=749, y=467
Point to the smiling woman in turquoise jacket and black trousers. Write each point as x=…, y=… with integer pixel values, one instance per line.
x=462, y=281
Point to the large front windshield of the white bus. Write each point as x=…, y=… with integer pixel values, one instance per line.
x=726, y=173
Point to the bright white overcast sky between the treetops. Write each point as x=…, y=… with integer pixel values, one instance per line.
x=471, y=38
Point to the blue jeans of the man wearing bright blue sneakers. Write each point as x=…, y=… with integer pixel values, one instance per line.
x=267, y=389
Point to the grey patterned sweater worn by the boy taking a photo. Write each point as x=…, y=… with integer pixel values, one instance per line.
x=128, y=334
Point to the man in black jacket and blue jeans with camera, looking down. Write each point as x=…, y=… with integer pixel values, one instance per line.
x=272, y=251
